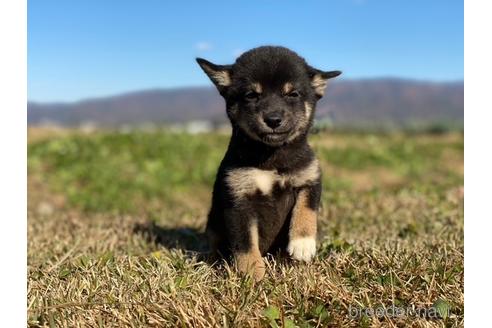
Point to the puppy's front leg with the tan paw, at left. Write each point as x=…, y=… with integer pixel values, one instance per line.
x=243, y=233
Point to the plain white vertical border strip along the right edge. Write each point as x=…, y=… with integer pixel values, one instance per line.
x=478, y=163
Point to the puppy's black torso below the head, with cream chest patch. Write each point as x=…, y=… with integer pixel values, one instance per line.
x=260, y=183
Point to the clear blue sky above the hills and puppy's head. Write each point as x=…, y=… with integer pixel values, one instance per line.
x=81, y=49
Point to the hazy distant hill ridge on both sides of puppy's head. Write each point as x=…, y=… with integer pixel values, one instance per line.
x=347, y=103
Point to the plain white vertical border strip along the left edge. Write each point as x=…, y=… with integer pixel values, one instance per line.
x=13, y=140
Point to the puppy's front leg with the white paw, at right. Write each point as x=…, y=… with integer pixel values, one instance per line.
x=302, y=230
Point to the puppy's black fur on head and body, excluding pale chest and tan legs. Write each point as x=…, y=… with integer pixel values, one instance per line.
x=269, y=132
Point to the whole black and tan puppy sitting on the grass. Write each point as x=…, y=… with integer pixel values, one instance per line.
x=268, y=186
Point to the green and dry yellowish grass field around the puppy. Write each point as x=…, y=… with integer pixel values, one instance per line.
x=115, y=235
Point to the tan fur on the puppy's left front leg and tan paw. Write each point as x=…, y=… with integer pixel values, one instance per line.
x=251, y=262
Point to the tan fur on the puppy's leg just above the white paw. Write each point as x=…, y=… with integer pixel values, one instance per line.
x=303, y=223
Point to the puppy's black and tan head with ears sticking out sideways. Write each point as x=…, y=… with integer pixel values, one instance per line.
x=270, y=93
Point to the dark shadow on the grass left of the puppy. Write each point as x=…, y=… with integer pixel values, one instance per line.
x=189, y=240
